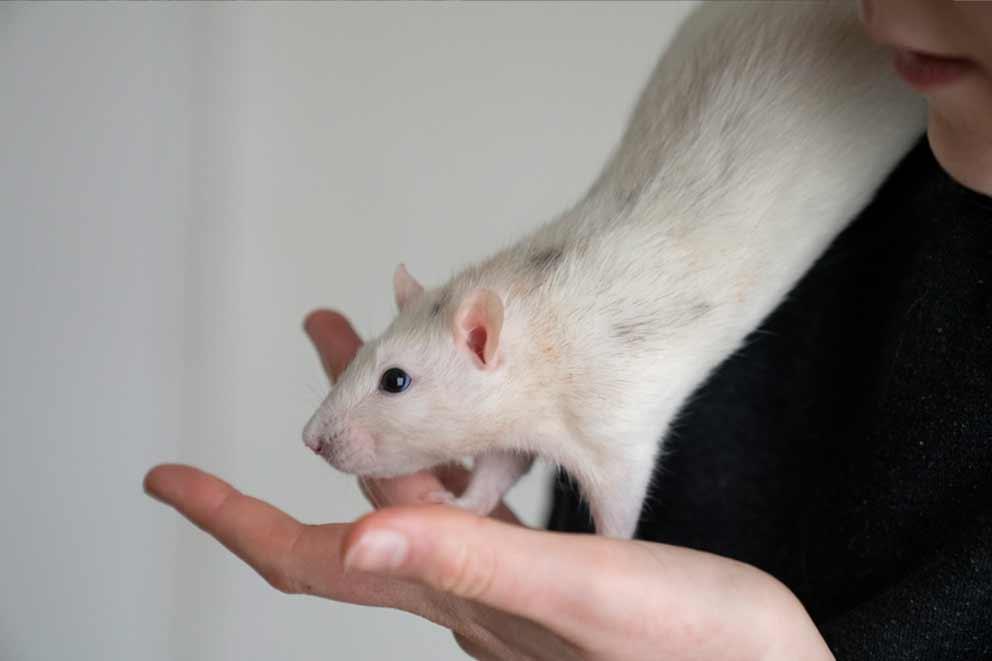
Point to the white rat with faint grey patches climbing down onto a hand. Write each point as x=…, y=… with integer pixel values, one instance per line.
x=763, y=130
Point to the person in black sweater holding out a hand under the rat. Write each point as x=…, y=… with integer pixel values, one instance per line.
x=825, y=493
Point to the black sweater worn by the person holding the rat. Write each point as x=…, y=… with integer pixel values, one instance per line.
x=847, y=448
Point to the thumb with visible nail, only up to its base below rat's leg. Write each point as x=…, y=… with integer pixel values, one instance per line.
x=545, y=577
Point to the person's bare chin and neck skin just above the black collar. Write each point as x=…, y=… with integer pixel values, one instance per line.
x=966, y=156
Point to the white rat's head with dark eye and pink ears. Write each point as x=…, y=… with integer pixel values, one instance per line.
x=427, y=391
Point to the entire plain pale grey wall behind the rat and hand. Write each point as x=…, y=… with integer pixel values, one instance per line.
x=179, y=185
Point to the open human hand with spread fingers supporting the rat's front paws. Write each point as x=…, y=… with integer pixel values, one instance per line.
x=506, y=591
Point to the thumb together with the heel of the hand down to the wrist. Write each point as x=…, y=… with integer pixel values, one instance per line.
x=588, y=589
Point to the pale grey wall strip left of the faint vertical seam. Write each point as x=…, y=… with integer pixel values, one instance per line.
x=94, y=206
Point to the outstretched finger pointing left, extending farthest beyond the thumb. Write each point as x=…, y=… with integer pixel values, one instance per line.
x=291, y=556
